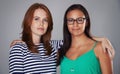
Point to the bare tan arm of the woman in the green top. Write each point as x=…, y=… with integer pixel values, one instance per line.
x=104, y=59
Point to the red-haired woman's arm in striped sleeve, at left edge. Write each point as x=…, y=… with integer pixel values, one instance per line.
x=16, y=60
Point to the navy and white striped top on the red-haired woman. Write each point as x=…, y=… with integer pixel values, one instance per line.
x=22, y=61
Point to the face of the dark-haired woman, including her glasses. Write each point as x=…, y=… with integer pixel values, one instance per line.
x=78, y=24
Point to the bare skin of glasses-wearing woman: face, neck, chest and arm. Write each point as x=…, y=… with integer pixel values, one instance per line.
x=81, y=43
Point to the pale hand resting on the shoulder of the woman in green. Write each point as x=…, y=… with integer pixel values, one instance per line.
x=106, y=45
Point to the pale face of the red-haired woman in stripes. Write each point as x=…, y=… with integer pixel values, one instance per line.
x=39, y=23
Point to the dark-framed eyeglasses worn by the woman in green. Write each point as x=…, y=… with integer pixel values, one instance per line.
x=79, y=20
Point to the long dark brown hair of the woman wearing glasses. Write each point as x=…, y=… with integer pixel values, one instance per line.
x=66, y=34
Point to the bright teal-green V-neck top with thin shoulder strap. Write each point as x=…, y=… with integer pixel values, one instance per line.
x=87, y=63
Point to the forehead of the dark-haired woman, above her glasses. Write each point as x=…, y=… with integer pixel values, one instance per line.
x=75, y=13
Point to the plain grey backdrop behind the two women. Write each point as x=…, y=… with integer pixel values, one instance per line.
x=105, y=19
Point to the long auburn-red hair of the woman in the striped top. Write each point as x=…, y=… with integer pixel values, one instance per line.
x=27, y=33
